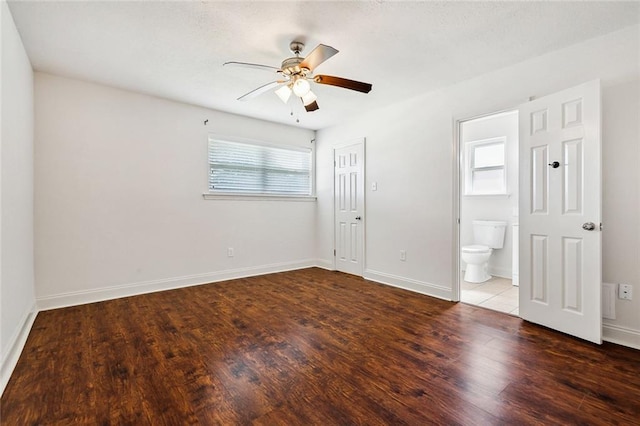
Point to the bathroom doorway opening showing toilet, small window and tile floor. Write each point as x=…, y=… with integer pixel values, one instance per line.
x=488, y=211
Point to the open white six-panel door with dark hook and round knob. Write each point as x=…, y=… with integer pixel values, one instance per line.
x=560, y=212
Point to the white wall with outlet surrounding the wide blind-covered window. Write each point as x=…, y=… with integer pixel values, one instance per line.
x=119, y=208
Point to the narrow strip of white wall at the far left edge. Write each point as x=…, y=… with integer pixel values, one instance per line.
x=17, y=302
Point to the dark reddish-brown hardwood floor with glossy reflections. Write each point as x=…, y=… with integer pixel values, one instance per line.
x=311, y=347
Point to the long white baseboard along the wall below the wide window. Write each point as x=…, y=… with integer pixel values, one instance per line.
x=83, y=297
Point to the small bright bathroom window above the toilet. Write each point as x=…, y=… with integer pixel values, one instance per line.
x=485, y=171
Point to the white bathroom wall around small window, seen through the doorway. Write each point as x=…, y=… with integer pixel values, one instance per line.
x=492, y=207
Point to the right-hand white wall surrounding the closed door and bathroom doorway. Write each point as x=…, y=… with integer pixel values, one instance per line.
x=410, y=153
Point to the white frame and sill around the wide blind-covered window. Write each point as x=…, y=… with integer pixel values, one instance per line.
x=212, y=194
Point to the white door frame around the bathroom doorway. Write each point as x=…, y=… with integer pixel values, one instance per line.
x=458, y=167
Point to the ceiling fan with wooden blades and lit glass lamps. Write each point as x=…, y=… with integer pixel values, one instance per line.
x=296, y=74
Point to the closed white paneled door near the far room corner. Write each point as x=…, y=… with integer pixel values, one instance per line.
x=349, y=208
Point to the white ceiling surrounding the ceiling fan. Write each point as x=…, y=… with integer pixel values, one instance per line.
x=176, y=49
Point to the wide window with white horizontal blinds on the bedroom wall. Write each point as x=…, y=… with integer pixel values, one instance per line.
x=249, y=168
